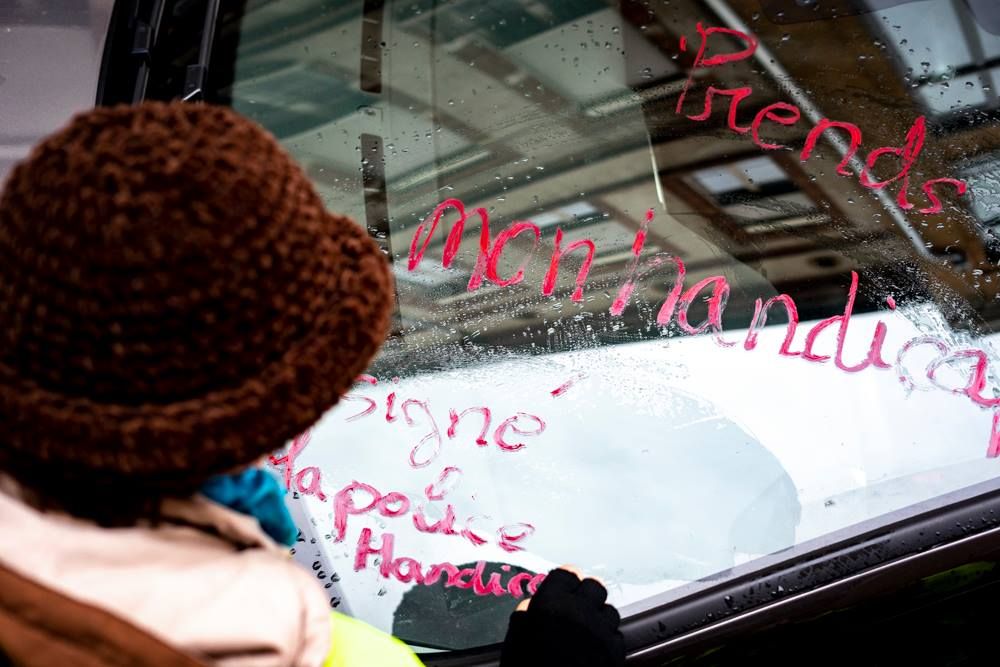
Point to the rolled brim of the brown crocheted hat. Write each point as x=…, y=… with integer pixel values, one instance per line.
x=176, y=446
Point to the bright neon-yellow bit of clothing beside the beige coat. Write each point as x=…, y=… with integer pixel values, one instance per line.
x=354, y=643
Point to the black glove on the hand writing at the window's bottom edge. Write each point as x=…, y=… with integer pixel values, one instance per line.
x=567, y=624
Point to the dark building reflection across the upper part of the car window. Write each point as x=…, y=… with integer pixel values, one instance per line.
x=564, y=114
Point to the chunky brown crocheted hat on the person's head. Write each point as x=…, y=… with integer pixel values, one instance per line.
x=175, y=301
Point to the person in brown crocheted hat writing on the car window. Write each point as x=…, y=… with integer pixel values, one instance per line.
x=175, y=304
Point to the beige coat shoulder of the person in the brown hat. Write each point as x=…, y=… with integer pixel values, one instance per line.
x=206, y=580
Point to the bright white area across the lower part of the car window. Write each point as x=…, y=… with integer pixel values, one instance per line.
x=663, y=462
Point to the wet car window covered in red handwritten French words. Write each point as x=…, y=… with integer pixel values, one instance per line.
x=680, y=284
